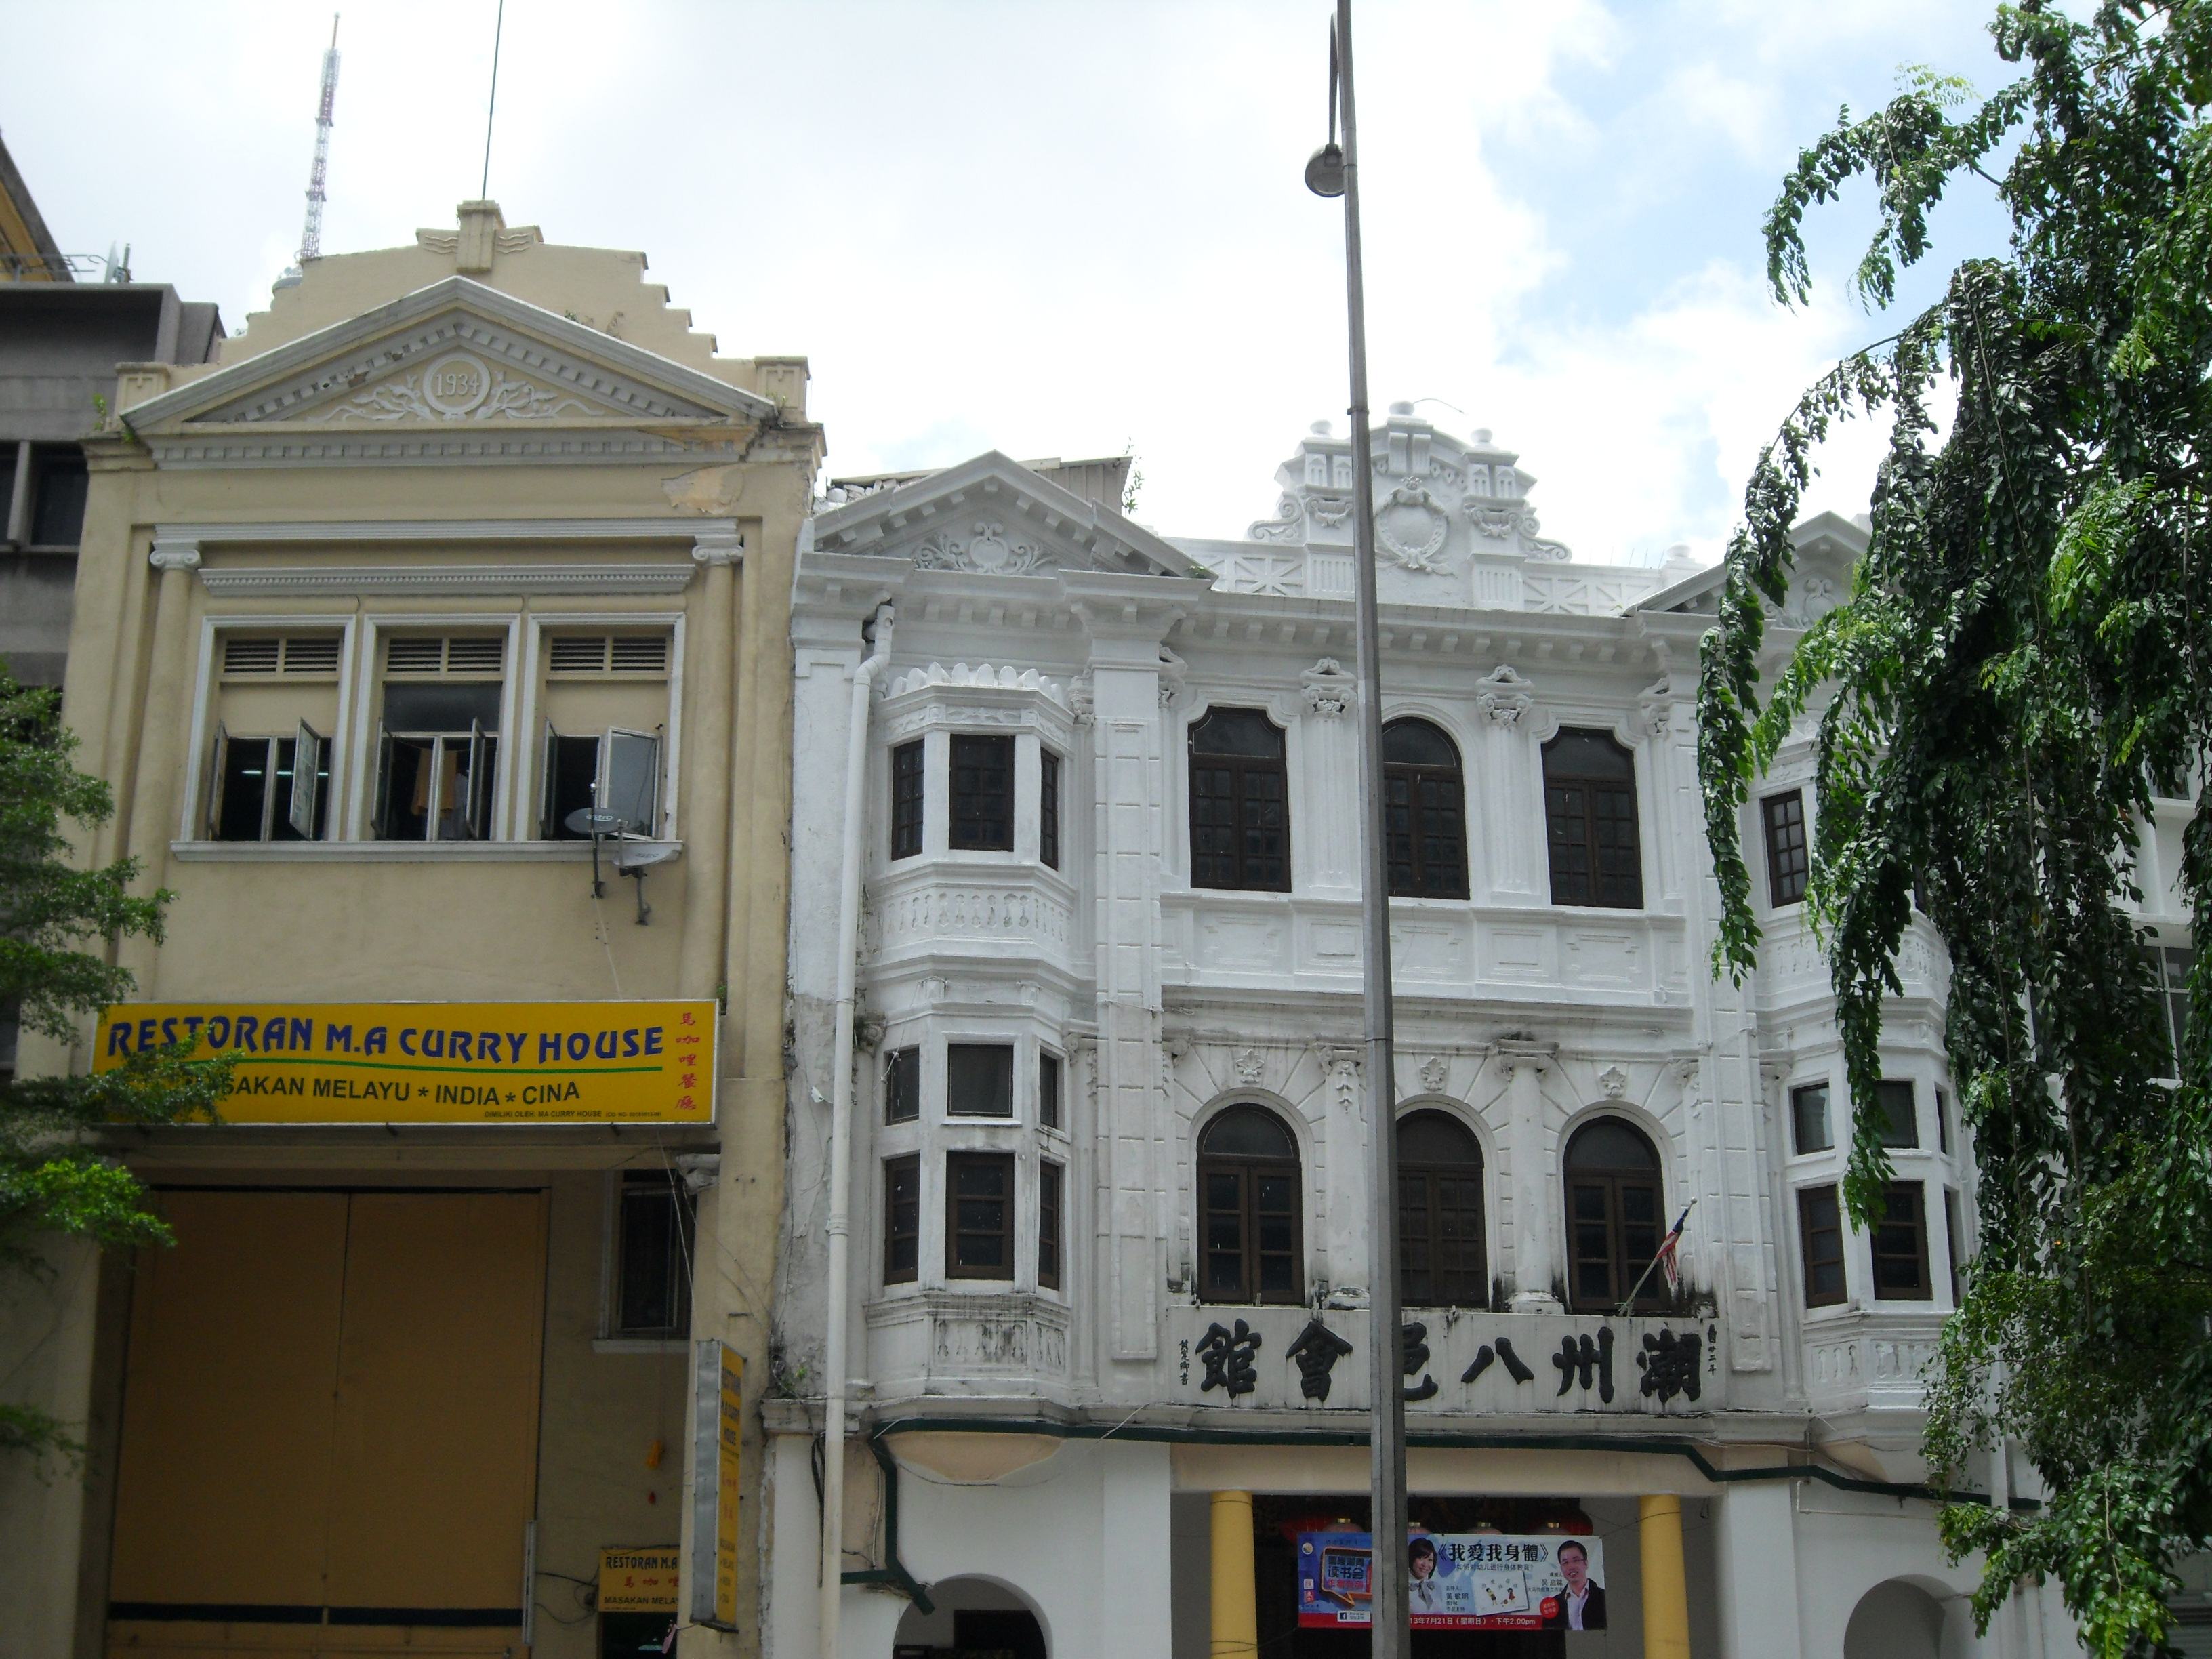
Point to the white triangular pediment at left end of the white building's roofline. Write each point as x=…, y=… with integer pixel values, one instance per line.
x=994, y=517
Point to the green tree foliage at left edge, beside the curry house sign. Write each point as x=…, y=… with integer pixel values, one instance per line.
x=56, y=928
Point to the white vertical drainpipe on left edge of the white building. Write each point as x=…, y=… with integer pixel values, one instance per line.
x=848, y=950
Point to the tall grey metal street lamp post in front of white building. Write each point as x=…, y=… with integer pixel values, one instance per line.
x=1337, y=171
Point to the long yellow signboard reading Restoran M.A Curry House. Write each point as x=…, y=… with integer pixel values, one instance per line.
x=441, y=1063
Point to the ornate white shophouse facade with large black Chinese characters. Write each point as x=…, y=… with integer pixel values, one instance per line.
x=1109, y=1081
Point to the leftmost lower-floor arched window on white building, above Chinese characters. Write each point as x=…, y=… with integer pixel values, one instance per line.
x=1249, y=1211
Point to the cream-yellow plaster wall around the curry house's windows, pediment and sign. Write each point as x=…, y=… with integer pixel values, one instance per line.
x=368, y=928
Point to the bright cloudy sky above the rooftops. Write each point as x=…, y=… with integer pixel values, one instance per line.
x=1065, y=229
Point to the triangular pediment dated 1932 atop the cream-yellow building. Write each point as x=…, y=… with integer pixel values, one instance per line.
x=450, y=355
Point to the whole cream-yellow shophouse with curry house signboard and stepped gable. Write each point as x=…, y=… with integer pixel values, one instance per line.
x=435, y=643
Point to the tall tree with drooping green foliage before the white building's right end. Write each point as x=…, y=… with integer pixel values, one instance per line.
x=2023, y=665
